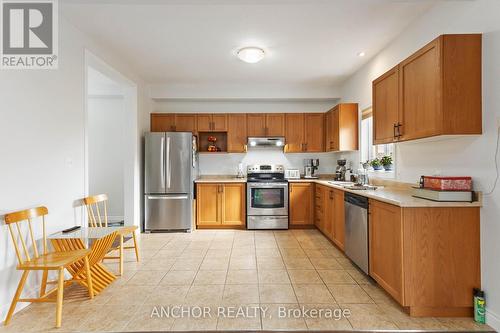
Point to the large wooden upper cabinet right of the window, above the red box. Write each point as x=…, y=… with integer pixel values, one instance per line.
x=438, y=92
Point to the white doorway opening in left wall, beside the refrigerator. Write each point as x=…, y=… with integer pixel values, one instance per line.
x=112, y=155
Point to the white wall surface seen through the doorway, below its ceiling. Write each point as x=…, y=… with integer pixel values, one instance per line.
x=106, y=134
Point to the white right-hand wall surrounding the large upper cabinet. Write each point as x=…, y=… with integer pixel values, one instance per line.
x=472, y=156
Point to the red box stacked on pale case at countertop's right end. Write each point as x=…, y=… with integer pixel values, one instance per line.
x=445, y=189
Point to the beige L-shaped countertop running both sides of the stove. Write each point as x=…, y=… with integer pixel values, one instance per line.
x=394, y=193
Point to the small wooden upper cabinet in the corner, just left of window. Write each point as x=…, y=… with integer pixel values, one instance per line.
x=342, y=128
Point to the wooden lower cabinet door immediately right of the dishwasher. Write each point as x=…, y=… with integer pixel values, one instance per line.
x=386, y=247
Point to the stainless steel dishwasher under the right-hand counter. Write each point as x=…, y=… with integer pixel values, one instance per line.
x=356, y=229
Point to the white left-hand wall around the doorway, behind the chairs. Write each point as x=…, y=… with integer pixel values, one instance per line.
x=42, y=119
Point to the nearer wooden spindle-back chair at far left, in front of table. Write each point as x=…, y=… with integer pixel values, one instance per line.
x=45, y=262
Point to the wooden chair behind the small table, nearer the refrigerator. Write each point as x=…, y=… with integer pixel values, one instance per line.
x=96, y=219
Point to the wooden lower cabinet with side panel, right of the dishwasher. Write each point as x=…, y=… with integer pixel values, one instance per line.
x=427, y=258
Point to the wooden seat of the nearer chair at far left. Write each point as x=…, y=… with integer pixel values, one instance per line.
x=54, y=260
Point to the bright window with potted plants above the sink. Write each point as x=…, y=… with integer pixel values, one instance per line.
x=369, y=152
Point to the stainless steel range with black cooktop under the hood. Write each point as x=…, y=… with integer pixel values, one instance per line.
x=267, y=197
